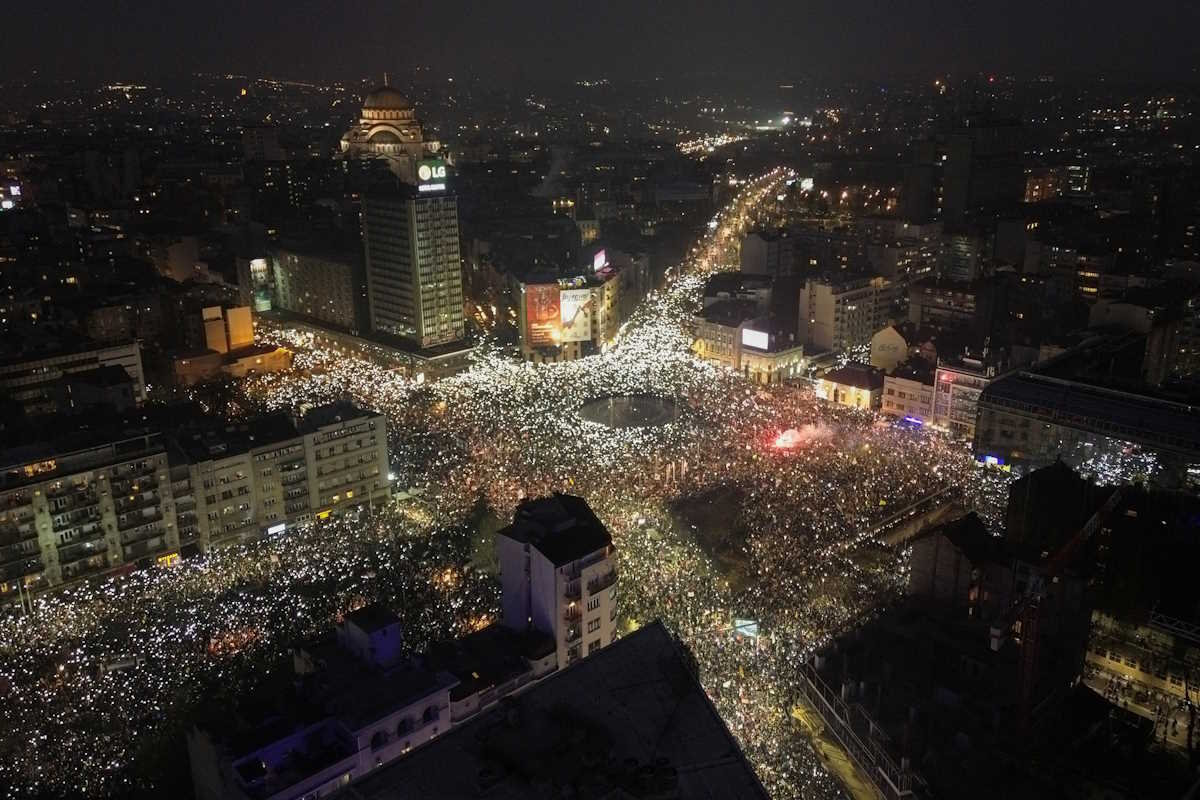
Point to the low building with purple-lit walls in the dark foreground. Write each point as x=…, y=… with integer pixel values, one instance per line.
x=356, y=703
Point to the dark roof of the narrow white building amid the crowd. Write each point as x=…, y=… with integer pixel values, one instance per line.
x=562, y=527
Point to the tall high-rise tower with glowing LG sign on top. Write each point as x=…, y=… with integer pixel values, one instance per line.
x=415, y=268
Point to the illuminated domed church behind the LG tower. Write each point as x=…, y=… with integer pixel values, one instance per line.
x=388, y=129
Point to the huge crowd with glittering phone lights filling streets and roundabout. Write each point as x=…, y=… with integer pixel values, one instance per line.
x=746, y=503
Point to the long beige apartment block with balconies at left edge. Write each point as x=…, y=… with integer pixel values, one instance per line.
x=118, y=495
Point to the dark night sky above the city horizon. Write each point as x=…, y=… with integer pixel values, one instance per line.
x=797, y=39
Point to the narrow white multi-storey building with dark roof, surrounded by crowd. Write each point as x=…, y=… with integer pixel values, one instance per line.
x=560, y=573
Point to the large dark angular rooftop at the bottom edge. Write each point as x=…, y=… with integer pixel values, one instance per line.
x=629, y=721
